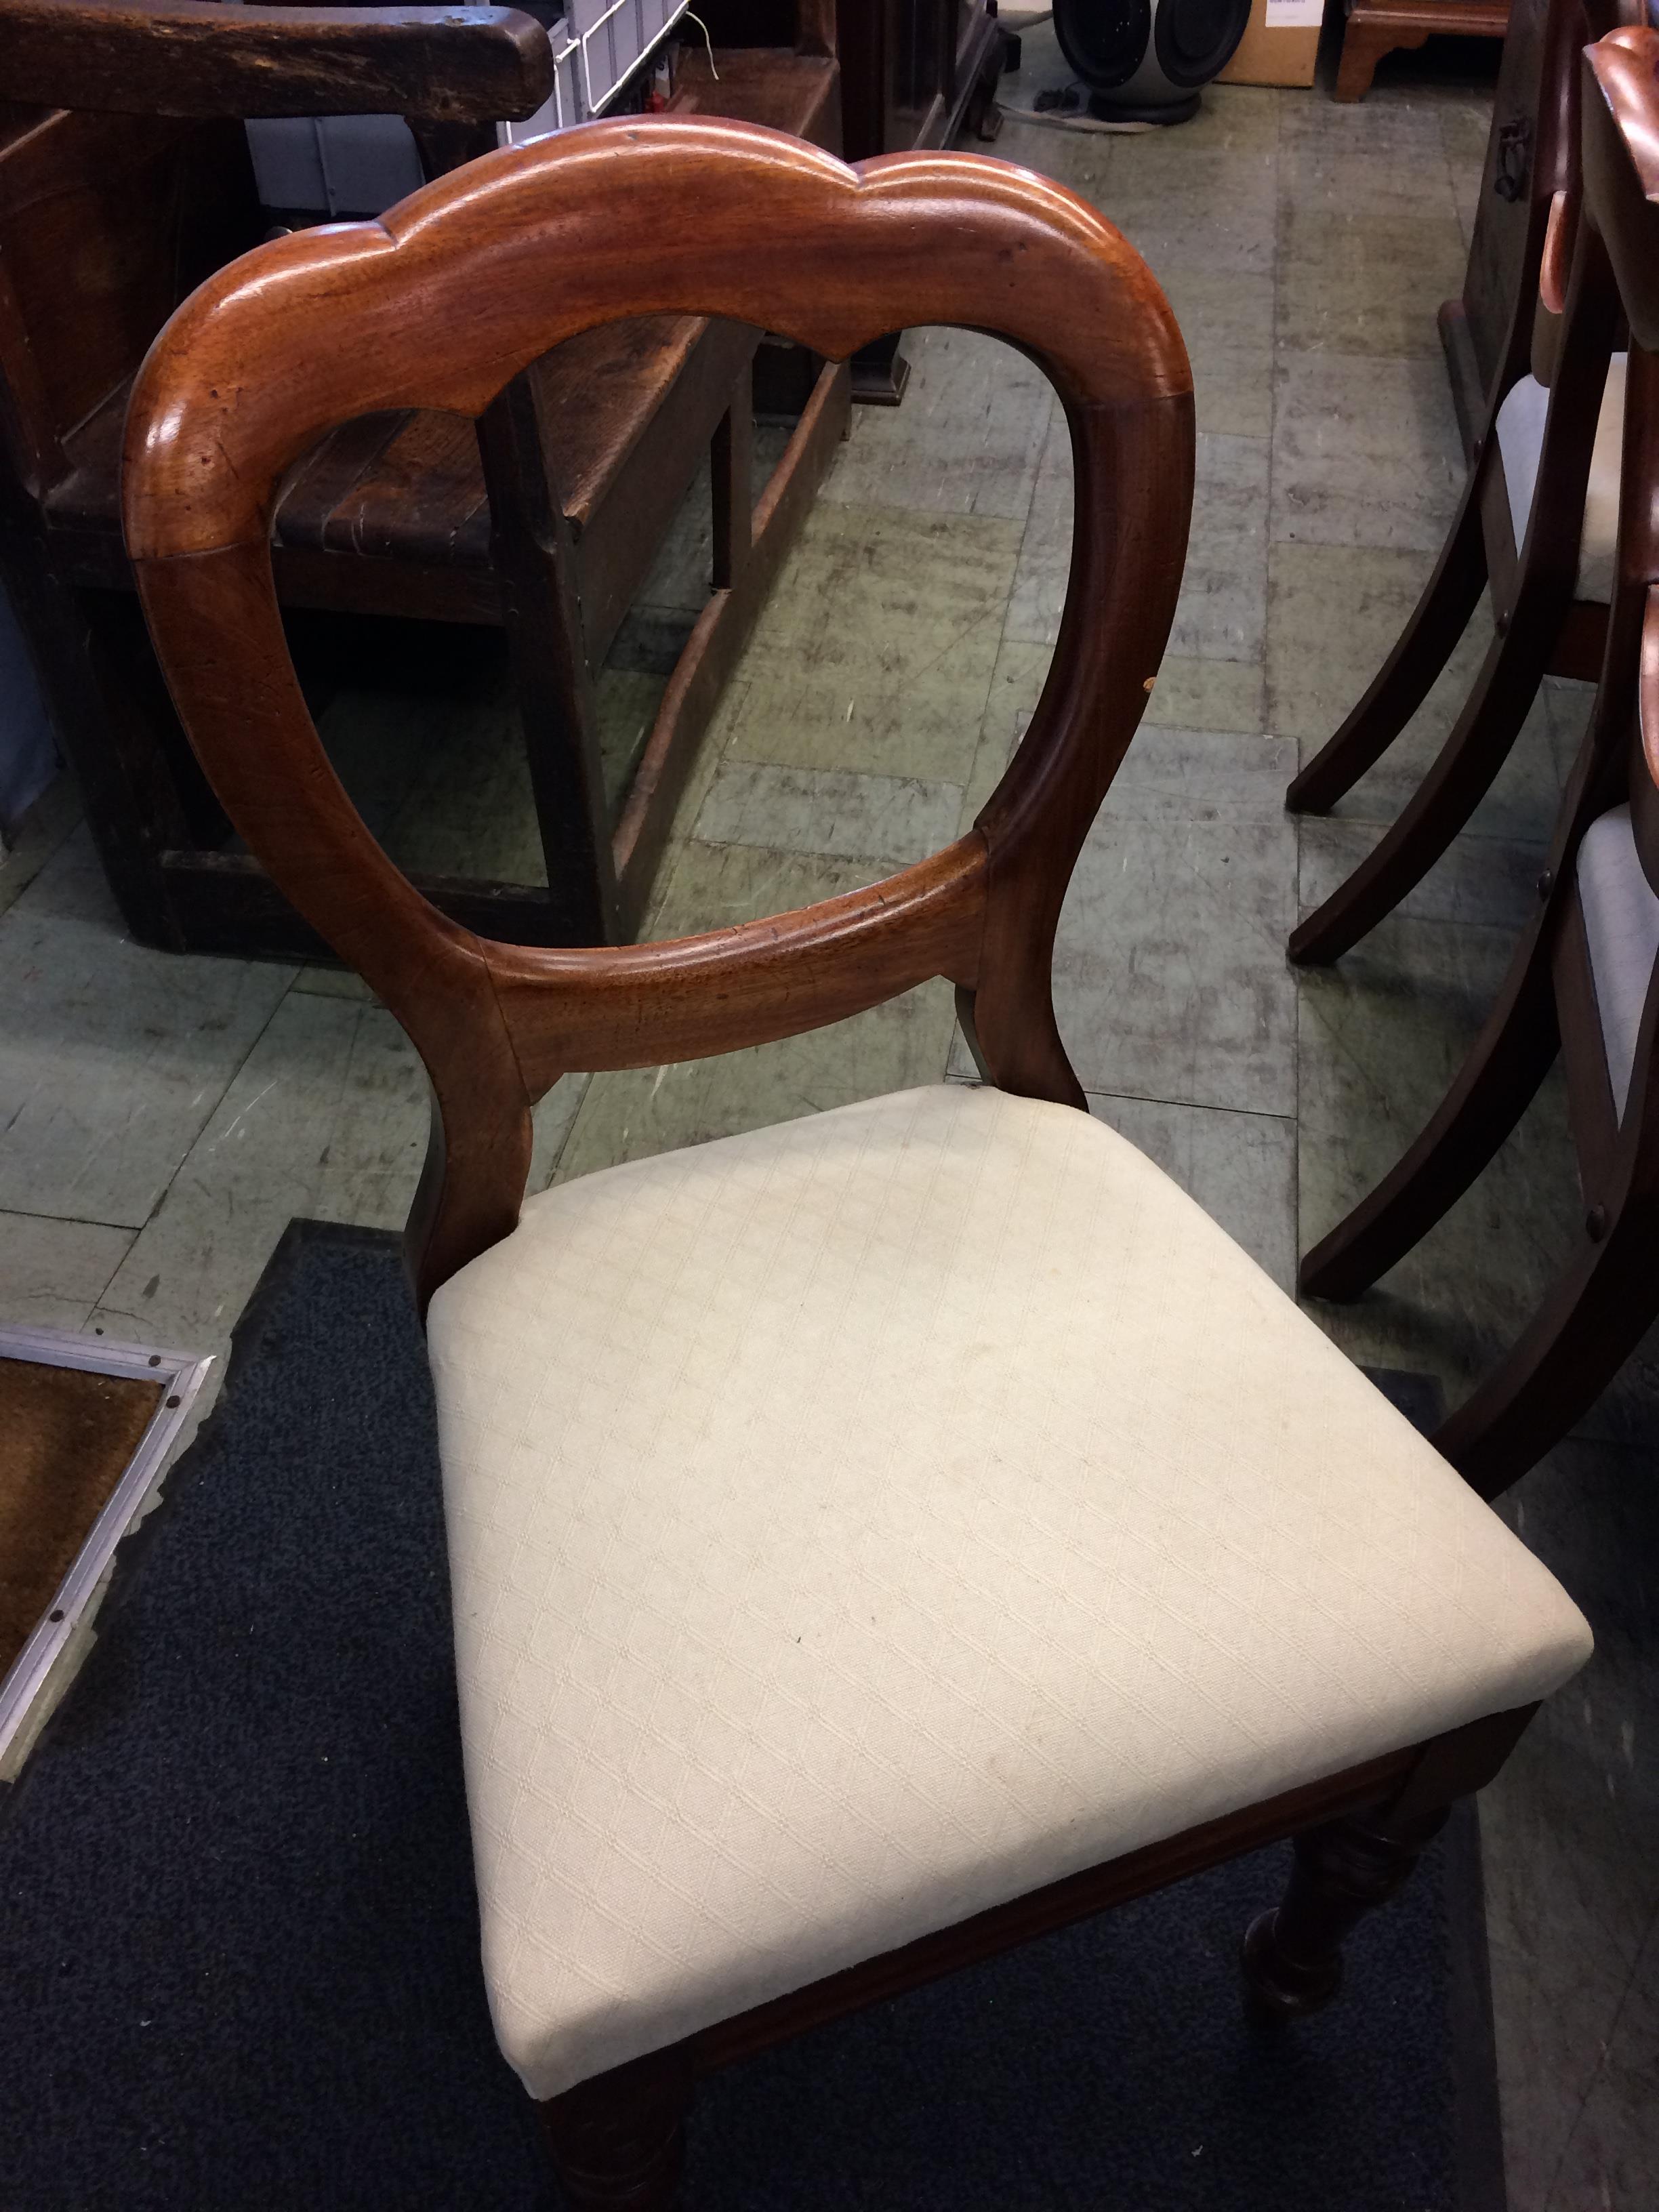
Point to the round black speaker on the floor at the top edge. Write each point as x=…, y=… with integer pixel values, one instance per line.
x=1145, y=61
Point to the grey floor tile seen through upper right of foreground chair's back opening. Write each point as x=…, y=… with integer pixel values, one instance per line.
x=966, y=441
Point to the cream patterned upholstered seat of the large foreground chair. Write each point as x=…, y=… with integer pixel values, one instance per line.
x=873, y=1519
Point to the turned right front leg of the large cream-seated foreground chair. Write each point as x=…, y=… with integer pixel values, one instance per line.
x=1293, y=1959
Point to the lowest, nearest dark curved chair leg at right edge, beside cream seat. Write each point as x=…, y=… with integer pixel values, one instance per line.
x=1589, y=1326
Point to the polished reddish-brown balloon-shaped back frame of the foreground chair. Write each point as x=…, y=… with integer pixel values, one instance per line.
x=441, y=304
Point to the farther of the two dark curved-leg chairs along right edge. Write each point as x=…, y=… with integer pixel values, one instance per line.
x=1536, y=523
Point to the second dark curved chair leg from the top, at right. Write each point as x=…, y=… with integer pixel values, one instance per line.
x=1461, y=778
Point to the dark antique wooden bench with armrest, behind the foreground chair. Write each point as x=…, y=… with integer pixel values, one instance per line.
x=541, y=523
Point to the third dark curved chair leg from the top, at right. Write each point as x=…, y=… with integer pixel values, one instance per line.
x=1488, y=1098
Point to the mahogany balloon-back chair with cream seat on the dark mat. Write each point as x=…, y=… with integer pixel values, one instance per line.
x=897, y=1534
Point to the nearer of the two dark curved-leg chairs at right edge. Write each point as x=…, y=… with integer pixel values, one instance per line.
x=1580, y=981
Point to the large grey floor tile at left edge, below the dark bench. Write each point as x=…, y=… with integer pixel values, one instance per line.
x=116, y=1056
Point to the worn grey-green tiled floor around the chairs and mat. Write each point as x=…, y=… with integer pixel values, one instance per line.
x=165, y=1118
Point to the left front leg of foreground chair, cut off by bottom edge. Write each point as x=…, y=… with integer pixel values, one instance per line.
x=620, y=2140
